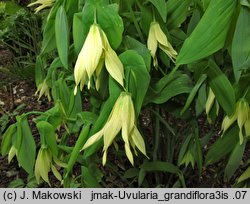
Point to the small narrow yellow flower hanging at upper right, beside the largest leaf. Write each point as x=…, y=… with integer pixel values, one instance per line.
x=157, y=38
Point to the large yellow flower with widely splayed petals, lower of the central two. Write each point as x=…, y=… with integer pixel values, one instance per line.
x=121, y=118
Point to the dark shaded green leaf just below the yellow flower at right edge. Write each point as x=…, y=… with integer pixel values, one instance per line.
x=223, y=146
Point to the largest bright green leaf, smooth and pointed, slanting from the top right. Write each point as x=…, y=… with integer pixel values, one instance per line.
x=210, y=34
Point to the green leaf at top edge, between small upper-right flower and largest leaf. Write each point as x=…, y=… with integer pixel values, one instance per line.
x=176, y=12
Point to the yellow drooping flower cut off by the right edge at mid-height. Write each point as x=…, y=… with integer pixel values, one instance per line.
x=241, y=114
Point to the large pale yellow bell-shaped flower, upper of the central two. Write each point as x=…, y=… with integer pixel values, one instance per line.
x=96, y=52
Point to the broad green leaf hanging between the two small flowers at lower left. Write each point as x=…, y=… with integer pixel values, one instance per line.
x=26, y=152
